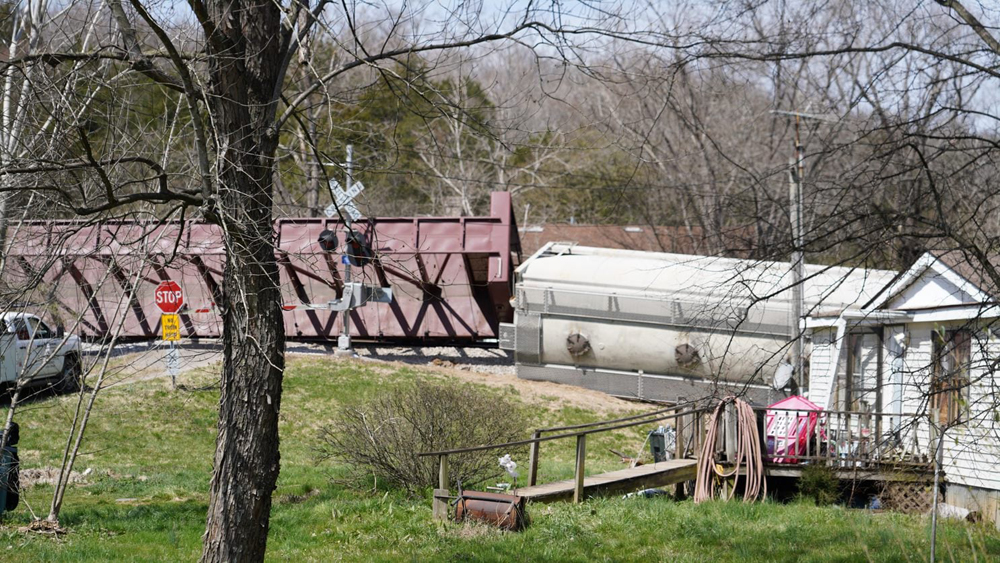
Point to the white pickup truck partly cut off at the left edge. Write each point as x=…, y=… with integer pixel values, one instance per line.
x=30, y=349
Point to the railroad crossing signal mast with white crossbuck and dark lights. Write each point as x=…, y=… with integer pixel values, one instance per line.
x=357, y=252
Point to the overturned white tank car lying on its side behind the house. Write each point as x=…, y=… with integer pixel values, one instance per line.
x=666, y=327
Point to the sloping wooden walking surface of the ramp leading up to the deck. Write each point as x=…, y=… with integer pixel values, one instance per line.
x=616, y=482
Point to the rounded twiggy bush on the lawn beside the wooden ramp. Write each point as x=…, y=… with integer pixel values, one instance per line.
x=384, y=434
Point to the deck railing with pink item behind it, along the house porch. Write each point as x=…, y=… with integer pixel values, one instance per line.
x=847, y=439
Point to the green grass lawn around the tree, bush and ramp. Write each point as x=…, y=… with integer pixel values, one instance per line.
x=150, y=450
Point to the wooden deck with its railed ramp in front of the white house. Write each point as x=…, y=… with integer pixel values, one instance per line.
x=888, y=447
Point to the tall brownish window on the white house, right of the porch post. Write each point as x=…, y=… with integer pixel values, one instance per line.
x=950, y=383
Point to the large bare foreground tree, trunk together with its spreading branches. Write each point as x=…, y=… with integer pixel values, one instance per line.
x=224, y=95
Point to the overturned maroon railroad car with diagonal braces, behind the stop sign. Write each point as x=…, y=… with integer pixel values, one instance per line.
x=451, y=276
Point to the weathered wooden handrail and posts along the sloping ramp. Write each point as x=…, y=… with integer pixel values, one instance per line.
x=689, y=428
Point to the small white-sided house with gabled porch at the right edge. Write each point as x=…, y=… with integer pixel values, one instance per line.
x=927, y=347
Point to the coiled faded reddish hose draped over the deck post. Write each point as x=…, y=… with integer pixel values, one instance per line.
x=748, y=454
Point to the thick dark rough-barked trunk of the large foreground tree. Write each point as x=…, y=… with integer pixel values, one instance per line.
x=244, y=59
